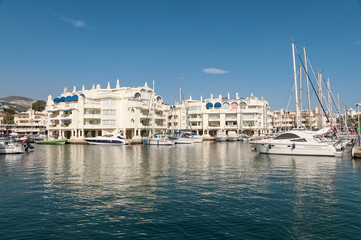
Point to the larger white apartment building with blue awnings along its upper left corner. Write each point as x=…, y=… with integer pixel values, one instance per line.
x=136, y=111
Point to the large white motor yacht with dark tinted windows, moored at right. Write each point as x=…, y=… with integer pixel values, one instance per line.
x=298, y=142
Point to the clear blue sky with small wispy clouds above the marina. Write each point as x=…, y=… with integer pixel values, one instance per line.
x=48, y=45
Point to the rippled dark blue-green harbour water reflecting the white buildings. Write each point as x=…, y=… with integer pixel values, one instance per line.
x=200, y=191
